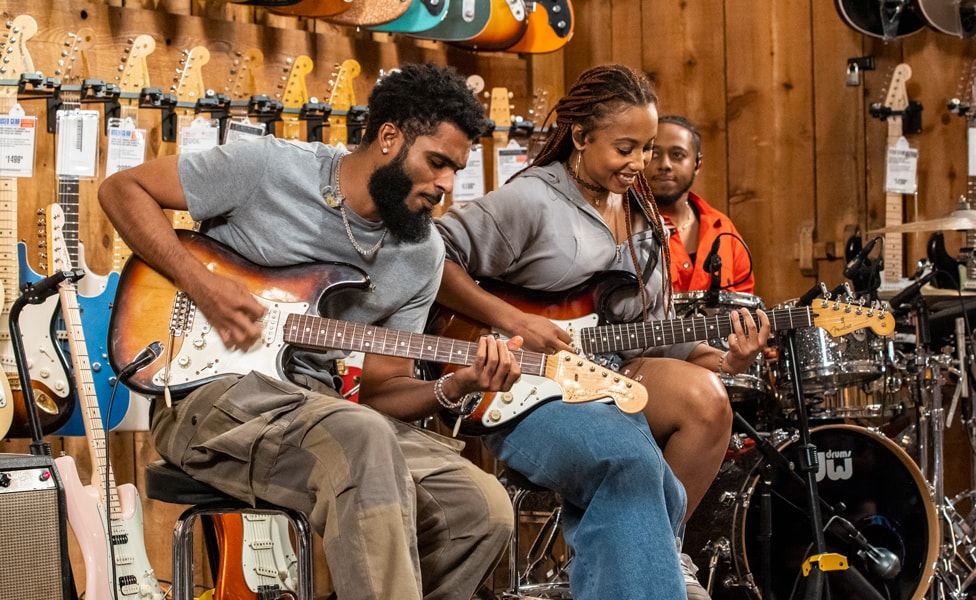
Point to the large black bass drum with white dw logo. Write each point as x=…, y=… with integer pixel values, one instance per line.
x=882, y=492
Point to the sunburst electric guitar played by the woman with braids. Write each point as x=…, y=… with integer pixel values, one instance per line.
x=578, y=311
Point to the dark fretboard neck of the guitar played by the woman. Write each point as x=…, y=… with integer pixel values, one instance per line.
x=638, y=336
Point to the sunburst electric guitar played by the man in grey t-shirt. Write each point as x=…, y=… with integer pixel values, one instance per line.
x=193, y=354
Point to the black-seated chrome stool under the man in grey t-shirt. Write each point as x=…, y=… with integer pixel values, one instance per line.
x=168, y=483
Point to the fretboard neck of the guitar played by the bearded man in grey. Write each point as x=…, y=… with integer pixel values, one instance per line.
x=322, y=333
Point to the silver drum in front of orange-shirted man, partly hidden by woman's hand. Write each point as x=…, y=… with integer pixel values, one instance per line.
x=754, y=383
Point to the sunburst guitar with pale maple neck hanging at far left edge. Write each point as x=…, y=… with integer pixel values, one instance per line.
x=50, y=379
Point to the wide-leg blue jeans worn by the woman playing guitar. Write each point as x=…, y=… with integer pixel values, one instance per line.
x=622, y=505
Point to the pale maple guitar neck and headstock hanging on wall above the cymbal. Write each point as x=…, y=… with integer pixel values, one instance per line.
x=895, y=102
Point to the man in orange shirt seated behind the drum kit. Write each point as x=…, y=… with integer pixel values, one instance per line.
x=694, y=225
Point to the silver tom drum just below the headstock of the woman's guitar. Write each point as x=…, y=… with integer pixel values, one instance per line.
x=828, y=364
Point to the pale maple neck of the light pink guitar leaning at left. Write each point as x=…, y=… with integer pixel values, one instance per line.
x=94, y=430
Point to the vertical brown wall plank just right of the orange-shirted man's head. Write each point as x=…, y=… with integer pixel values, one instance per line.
x=770, y=129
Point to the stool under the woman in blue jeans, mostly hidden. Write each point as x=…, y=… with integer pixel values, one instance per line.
x=536, y=580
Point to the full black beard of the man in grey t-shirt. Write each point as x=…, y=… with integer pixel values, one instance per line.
x=389, y=186
